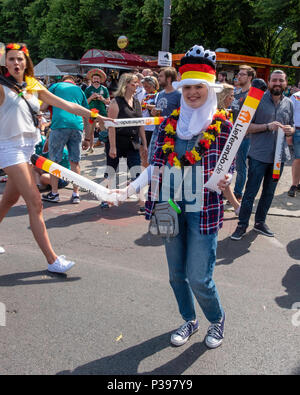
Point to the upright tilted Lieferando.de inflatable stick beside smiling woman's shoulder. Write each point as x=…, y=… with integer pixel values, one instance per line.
x=237, y=134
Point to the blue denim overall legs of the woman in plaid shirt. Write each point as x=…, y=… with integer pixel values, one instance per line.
x=191, y=260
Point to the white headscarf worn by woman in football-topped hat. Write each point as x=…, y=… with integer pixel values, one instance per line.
x=192, y=121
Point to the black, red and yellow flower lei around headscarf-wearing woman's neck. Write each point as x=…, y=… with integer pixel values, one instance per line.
x=196, y=154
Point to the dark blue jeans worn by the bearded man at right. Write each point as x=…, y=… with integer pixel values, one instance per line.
x=258, y=172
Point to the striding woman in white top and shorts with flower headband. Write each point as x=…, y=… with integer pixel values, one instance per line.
x=18, y=136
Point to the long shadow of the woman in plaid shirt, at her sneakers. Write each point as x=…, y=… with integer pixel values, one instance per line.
x=127, y=362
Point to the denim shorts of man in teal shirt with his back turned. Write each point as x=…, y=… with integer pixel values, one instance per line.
x=58, y=138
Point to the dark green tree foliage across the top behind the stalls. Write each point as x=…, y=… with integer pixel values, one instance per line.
x=67, y=28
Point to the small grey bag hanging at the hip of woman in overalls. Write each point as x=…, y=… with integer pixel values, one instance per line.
x=164, y=221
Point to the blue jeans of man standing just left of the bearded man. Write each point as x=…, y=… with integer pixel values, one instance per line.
x=241, y=167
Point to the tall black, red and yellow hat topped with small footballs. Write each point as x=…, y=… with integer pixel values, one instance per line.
x=198, y=66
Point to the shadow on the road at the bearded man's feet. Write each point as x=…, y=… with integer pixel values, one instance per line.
x=230, y=250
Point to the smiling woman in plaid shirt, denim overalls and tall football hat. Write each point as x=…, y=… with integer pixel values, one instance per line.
x=190, y=143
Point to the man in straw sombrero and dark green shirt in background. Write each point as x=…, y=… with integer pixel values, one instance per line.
x=97, y=96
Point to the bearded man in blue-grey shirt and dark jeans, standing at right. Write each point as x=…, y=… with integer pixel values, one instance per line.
x=274, y=111
